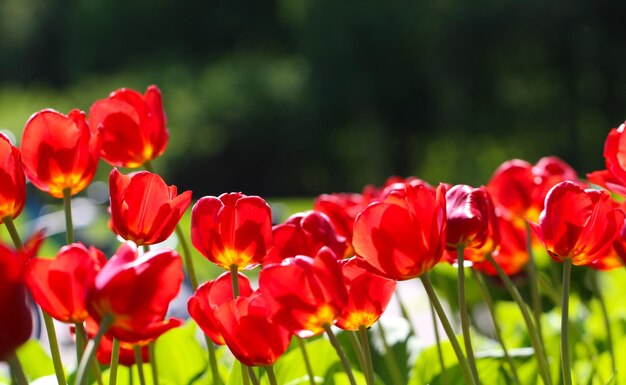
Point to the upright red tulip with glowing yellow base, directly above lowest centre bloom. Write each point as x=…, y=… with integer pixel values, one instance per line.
x=232, y=230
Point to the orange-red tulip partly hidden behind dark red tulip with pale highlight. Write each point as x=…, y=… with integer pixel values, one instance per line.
x=511, y=254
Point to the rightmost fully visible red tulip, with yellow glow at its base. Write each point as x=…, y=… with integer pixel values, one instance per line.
x=578, y=224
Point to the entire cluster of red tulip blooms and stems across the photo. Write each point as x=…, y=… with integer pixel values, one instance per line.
x=335, y=265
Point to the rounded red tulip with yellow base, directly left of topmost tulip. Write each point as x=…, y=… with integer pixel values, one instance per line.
x=60, y=152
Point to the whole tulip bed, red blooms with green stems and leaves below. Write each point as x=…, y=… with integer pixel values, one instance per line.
x=522, y=277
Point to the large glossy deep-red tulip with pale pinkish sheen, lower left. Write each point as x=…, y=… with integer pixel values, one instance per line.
x=135, y=291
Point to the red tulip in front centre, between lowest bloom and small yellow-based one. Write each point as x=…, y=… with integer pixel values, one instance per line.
x=304, y=293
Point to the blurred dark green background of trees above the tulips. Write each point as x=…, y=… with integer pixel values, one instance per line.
x=296, y=98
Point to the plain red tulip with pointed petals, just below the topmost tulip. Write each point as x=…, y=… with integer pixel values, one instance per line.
x=144, y=209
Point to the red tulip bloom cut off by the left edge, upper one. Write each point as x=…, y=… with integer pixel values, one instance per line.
x=12, y=180
